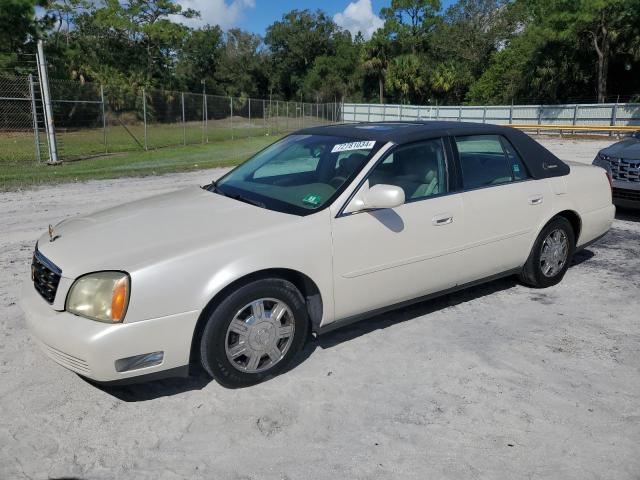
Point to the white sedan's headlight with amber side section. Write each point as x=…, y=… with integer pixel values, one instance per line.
x=101, y=296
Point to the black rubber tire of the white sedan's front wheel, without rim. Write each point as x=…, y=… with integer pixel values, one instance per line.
x=214, y=336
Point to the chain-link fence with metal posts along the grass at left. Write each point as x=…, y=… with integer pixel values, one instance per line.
x=91, y=120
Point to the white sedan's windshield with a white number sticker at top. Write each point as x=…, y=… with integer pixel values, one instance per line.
x=299, y=174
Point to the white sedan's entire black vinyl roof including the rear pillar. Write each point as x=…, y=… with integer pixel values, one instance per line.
x=540, y=162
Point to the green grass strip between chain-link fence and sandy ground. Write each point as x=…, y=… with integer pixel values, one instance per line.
x=136, y=163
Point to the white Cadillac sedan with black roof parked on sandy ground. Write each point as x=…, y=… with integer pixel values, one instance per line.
x=322, y=228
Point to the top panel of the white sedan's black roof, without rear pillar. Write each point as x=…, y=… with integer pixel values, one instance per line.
x=402, y=132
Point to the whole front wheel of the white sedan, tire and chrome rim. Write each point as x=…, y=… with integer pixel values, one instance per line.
x=254, y=333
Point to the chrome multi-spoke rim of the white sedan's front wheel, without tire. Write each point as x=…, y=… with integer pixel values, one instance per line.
x=259, y=335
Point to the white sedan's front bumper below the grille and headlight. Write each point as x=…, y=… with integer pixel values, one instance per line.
x=91, y=348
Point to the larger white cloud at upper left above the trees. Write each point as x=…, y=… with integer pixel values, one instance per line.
x=215, y=12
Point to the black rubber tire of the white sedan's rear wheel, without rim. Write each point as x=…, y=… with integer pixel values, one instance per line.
x=532, y=273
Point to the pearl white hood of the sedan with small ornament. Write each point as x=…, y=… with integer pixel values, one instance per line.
x=154, y=229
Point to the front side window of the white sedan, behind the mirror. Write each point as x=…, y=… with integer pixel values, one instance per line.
x=419, y=169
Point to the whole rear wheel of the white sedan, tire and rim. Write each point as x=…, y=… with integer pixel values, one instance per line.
x=551, y=254
